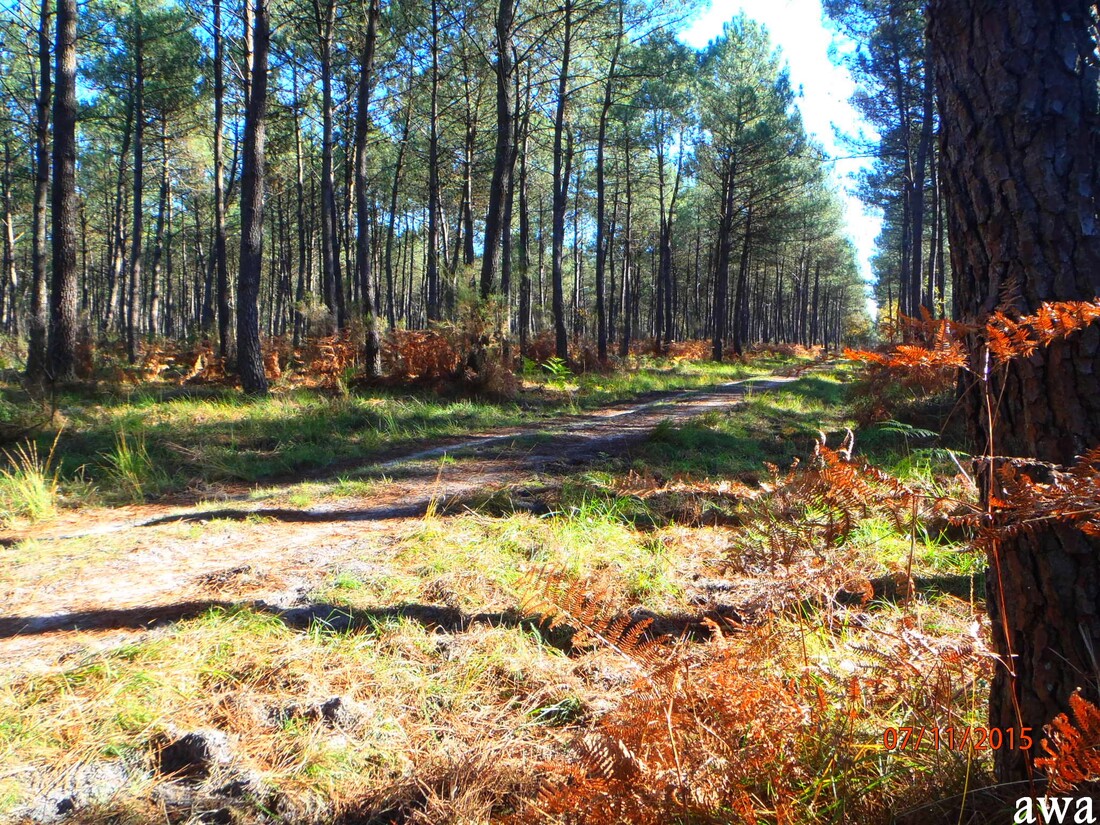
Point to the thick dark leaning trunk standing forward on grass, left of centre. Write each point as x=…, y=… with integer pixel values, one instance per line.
x=250, y=362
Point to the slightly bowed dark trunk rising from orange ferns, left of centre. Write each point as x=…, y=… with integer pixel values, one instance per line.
x=372, y=350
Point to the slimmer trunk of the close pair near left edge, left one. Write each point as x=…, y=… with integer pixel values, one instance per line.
x=39, y=324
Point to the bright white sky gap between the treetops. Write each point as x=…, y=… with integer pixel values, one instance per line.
x=798, y=28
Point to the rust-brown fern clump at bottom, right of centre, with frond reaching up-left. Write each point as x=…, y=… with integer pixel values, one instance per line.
x=697, y=738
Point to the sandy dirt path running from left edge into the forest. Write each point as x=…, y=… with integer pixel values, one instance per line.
x=92, y=578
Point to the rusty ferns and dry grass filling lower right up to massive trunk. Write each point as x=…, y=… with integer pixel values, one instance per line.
x=749, y=729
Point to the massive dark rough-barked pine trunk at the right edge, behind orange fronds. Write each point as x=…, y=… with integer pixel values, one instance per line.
x=1020, y=139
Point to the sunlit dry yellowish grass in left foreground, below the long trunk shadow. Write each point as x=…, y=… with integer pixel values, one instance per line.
x=419, y=710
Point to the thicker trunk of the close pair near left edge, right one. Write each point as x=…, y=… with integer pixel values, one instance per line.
x=65, y=204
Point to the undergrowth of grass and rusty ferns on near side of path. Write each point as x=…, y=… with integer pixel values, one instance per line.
x=681, y=635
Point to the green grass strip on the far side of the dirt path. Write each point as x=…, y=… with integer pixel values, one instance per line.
x=155, y=441
